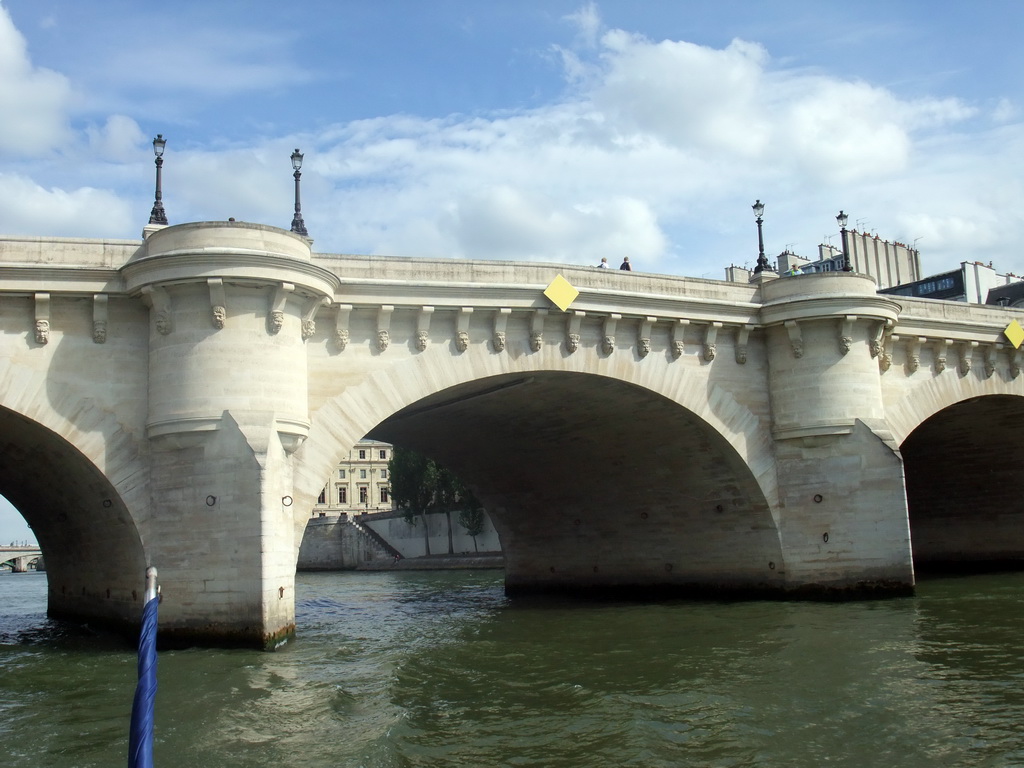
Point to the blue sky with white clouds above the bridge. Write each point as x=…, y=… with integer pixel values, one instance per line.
x=543, y=131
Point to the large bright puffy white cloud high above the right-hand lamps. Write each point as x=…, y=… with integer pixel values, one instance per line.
x=732, y=104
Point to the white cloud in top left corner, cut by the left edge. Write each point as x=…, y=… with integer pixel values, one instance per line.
x=33, y=102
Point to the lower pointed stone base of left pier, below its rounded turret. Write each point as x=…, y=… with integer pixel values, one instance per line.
x=230, y=579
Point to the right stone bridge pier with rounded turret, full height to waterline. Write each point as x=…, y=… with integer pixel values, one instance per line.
x=842, y=509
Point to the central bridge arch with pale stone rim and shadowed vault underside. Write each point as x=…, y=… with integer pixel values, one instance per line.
x=592, y=453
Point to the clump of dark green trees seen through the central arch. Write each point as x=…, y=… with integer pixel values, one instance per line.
x=421, y=487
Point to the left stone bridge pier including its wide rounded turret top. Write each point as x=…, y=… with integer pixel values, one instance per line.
x=231, y=309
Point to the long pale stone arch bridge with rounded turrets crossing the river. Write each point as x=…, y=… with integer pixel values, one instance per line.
x=181, y=402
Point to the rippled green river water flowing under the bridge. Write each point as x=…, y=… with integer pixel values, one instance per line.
x=440, y=669
